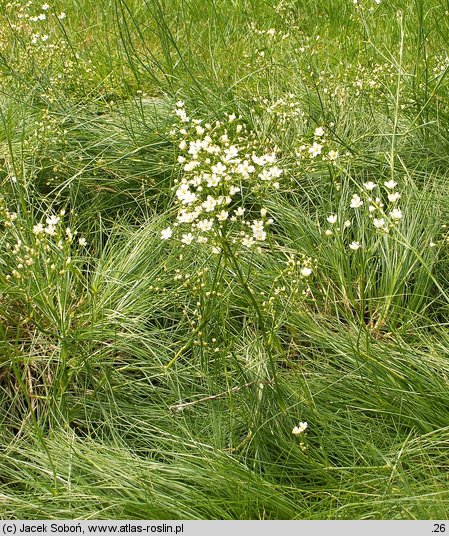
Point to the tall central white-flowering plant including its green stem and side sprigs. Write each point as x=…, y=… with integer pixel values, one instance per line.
x=225, y=178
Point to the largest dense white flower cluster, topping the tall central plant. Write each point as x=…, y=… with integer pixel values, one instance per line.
x=224, y=176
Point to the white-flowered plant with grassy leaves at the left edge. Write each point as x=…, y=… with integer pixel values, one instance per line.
x=41, y=267
